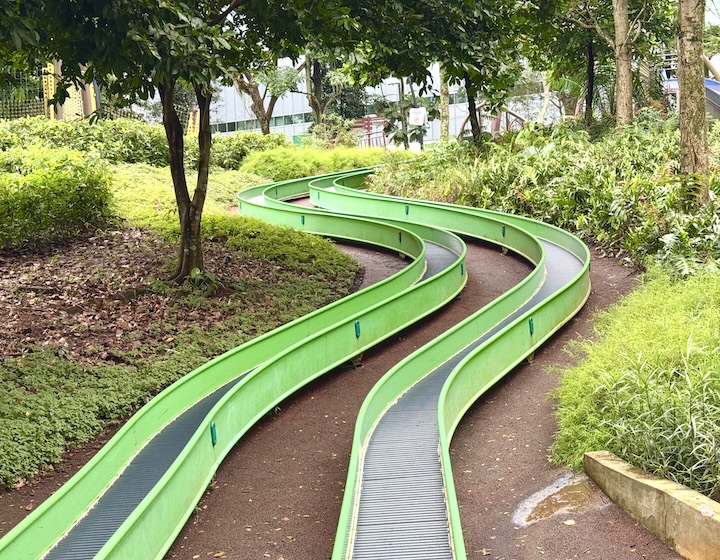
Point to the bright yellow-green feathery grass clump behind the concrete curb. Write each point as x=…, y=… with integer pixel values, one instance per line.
x=649, y=388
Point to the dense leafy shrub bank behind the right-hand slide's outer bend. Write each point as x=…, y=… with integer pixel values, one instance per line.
x=621, y=191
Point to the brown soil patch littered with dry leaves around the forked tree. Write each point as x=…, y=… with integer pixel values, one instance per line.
x=95, y=298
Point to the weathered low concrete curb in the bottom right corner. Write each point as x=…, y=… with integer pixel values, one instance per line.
x=686, y=520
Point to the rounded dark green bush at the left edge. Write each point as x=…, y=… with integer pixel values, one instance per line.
x=51, y=195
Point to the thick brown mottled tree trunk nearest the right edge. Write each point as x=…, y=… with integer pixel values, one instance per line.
x=691, y=74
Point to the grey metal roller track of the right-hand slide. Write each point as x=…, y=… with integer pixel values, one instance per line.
x=402, y=512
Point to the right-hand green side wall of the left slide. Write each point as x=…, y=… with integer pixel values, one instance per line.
x=262, y=389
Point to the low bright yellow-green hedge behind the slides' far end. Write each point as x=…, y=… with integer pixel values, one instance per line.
x=281, y=164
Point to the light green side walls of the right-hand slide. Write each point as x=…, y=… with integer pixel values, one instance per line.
x=486, y=364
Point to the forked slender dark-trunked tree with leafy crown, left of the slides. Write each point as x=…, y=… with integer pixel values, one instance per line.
x=138, y=47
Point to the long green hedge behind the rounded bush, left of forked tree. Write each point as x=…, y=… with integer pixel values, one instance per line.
x=121, y=140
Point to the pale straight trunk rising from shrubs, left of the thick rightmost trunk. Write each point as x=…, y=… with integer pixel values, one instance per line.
x=623, y=68
